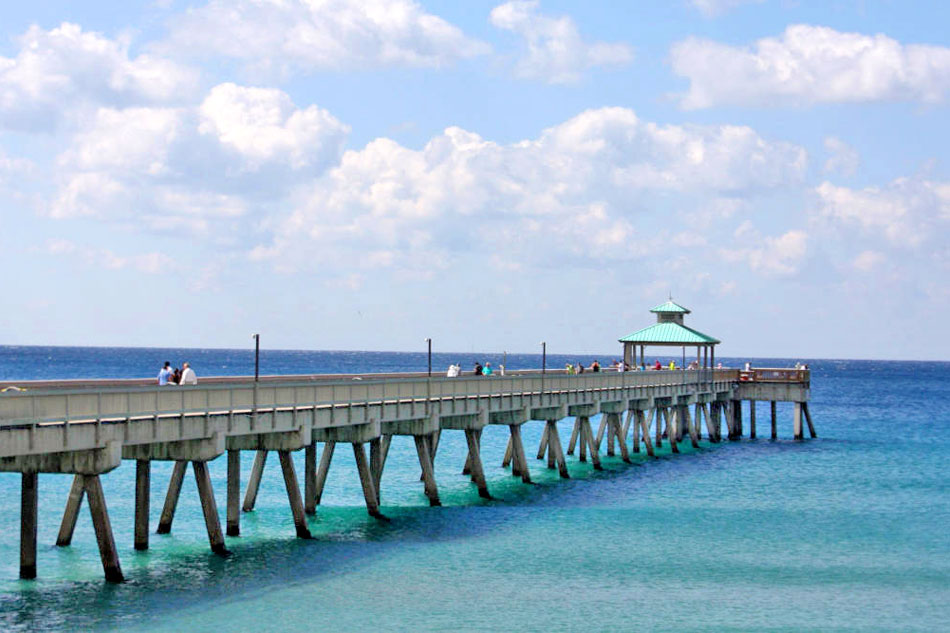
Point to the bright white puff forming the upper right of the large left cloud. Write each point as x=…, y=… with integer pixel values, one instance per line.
x=263, y=124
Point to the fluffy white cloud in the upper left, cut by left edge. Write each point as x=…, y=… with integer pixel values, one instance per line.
x=67, y=65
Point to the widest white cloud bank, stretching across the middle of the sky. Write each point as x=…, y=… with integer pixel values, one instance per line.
x=573, y=191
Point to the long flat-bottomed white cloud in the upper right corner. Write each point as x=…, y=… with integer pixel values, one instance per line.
x=811, y=64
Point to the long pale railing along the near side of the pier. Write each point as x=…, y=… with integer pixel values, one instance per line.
x=49, y=402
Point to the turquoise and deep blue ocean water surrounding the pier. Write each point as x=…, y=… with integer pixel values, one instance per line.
x=843, y=533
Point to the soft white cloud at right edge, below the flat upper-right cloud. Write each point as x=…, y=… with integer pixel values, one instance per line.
x=906, y=213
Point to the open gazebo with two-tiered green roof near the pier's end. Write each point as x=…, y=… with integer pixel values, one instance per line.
x=669, y=331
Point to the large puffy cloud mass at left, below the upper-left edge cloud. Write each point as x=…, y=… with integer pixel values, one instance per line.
x=198, y=170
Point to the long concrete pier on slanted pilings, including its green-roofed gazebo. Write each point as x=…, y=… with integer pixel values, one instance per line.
x=86, y=428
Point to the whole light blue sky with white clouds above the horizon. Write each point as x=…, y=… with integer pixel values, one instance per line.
x=344, y=174
